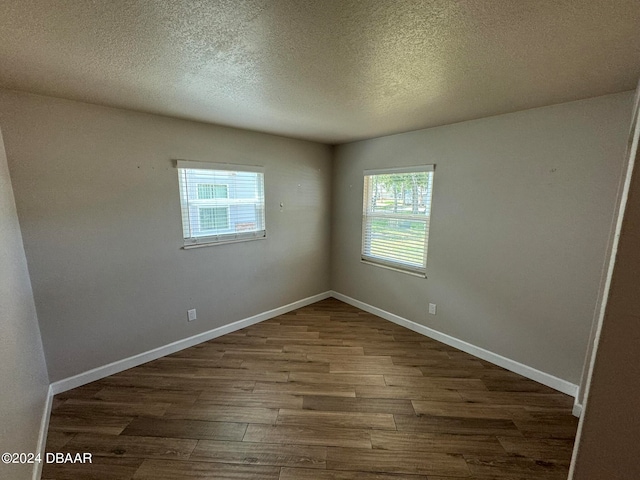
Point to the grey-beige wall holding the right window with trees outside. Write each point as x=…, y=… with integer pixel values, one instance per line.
x=522, y=211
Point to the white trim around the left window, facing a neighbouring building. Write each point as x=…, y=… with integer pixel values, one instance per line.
x=224, y=238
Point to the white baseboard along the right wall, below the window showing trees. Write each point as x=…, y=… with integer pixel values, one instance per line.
x=516, y=367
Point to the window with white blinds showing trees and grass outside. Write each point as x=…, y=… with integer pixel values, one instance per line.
x=395, y=217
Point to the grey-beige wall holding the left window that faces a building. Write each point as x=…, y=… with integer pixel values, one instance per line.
x=97, y=198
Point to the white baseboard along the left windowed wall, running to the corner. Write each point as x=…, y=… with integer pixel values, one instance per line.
x=130, y=362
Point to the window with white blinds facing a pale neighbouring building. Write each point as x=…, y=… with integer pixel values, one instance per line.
x=220, y=203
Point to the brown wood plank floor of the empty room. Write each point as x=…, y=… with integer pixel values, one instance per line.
x=325, y=392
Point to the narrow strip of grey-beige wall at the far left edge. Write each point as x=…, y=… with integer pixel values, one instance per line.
x=23, y=372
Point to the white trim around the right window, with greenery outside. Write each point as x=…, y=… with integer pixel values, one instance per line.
x=390, y=264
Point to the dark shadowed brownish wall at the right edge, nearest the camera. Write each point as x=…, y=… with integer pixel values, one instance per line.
x=609, y=434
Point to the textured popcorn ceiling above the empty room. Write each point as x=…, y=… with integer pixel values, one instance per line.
x=326, y=70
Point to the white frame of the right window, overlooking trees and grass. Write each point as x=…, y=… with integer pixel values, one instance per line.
x=368, y=215
